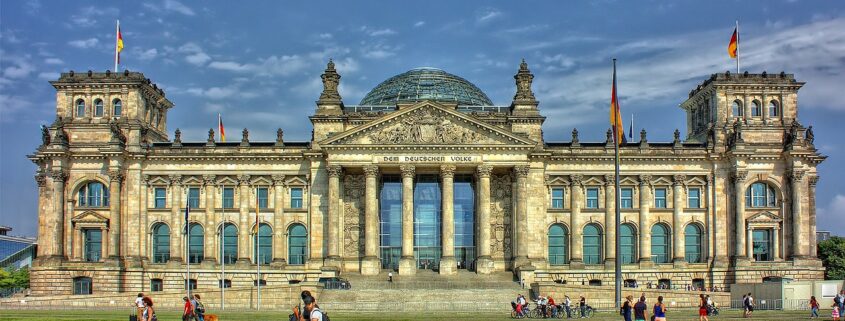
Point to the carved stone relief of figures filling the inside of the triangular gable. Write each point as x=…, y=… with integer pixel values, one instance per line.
x=426, y=126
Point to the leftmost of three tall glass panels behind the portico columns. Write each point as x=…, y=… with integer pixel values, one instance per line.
x=390, y=221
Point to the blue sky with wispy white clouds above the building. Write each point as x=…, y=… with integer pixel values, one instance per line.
x=259, y=64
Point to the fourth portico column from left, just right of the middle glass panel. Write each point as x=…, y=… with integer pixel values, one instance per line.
x=448, y=265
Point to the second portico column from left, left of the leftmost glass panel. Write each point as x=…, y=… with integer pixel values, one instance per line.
x=371, y=264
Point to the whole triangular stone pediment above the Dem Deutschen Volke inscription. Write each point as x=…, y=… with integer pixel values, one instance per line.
x=427, y=123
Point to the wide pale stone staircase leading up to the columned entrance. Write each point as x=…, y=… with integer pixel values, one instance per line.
x=425, y=291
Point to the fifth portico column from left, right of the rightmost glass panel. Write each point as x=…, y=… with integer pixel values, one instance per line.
x=484, y=263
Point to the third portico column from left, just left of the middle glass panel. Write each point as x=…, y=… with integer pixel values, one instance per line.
x=407, y=264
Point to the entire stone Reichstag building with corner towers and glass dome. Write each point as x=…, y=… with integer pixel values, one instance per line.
x=425, y=173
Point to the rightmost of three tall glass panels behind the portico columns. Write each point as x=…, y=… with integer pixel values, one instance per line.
x=464, y=204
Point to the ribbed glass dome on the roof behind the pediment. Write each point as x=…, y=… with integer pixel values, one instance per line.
x=426, y=84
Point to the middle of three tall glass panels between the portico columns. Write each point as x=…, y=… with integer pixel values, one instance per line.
x=427, y=205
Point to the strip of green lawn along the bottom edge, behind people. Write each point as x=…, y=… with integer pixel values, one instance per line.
x=96, y=315
